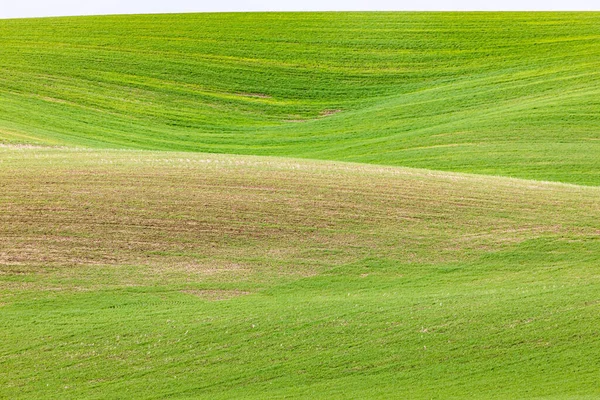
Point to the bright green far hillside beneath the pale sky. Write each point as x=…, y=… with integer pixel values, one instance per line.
x=511, y=94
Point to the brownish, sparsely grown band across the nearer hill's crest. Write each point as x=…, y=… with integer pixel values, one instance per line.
x=204, y=217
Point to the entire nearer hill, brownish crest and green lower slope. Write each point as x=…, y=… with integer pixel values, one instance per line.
x=210, y=276
